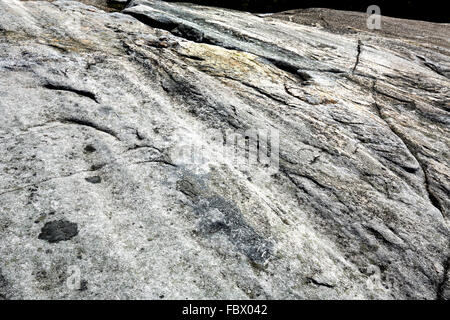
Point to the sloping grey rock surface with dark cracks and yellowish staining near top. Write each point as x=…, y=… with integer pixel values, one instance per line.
x=97, y=105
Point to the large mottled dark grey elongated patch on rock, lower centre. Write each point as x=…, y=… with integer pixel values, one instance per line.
x=220, y=215
